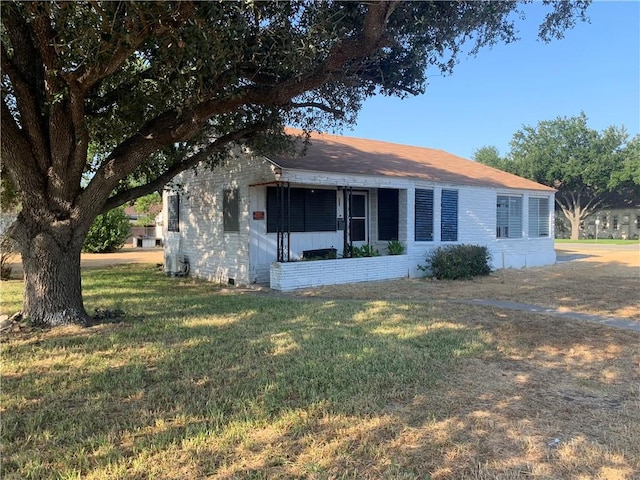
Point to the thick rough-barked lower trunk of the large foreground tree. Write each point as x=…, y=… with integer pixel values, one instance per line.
x=52, y=282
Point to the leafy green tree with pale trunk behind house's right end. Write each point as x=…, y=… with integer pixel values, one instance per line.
x=588, y=168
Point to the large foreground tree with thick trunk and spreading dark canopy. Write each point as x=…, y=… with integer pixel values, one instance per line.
x=158, y=87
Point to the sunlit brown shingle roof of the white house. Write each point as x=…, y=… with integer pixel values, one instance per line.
x=348, y=155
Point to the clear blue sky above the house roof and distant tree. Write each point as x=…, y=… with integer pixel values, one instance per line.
x=595, y=68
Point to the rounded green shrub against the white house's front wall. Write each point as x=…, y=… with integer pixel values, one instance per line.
x=455, y=262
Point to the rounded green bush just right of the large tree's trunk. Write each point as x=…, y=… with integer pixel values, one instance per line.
x=108, y=232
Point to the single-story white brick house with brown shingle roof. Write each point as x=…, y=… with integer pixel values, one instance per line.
x=249, y=221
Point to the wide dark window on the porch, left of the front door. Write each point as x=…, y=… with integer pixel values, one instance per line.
x=303, y=209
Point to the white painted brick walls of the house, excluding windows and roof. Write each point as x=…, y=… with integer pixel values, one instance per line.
x=219, y=256
